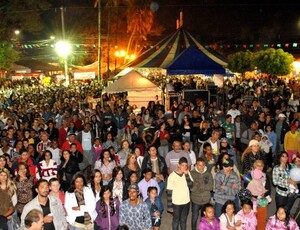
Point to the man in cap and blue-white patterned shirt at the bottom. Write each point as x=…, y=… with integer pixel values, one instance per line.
x=134, y=212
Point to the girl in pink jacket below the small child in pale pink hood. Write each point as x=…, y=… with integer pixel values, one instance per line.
x=247, y=216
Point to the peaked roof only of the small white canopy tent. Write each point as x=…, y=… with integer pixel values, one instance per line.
x=132, y=81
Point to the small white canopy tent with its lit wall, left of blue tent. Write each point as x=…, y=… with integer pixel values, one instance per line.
x=139, y=89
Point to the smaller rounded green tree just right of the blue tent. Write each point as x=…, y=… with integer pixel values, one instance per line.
x=241, y=62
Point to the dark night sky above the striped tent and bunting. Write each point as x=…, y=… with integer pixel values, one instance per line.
x=210, y=21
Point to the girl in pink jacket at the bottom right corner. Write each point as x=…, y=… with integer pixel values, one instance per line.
x=281, y=221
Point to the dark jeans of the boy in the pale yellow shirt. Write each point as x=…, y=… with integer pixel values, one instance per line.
x=180, y=213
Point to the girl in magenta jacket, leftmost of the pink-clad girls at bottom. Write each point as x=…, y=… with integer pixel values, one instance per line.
x=208, y=220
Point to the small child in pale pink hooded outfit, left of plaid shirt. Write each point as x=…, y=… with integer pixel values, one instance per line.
x=257, y=189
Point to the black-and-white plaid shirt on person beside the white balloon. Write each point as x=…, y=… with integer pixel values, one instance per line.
x=280, y=177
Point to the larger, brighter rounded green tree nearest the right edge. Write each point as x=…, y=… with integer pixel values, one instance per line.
x=274, y=62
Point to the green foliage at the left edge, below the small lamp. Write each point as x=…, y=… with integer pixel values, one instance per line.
x=7, y=56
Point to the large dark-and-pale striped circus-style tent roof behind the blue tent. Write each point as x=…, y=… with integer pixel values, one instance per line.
x=164, y=52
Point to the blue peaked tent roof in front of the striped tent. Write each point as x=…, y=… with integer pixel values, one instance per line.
x=194, y=61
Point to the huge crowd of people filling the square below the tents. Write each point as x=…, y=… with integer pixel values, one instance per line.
x=66, y=164
